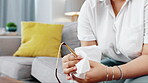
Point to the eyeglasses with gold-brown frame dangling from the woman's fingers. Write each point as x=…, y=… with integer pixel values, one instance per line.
x=59, y=55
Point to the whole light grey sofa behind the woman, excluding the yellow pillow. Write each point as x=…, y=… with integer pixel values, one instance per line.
x=35, y=69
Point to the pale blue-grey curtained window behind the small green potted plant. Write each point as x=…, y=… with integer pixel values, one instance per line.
x=16, y=11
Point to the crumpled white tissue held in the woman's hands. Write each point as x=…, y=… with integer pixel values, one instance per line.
x=88, y=53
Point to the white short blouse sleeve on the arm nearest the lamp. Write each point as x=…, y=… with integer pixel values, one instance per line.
x=85, y=32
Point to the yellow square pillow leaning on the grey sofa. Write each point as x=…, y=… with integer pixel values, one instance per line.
x=40, y=39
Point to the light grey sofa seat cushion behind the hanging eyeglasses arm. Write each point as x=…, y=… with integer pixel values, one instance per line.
x=43, y=68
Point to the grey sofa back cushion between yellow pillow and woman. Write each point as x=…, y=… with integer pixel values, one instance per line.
x=70, y=37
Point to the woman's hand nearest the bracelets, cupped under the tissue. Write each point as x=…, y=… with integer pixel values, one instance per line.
x=97, y=73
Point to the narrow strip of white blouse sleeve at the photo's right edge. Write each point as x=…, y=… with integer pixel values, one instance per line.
x=146, y=25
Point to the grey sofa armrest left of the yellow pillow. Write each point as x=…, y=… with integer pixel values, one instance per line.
x=9, y=45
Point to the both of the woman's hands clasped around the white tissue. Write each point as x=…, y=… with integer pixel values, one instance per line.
x=97, y=72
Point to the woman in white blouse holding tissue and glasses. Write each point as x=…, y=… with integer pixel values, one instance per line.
x=120, y=28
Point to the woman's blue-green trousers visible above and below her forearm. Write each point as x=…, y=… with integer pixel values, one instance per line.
x=111, y=62
